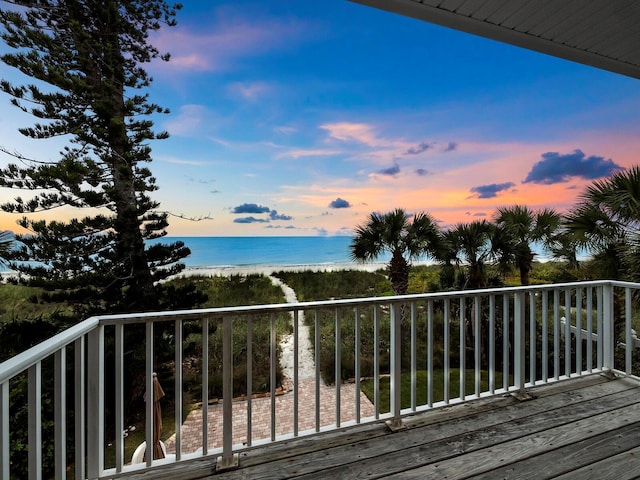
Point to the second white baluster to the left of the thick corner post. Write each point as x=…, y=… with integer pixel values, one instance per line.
x=60, y=413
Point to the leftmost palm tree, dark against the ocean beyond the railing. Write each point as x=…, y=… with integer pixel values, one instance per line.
x=394, y=233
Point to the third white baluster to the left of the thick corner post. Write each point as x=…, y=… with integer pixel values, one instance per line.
x=35, y=421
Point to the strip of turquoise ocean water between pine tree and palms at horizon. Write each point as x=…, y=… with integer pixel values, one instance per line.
x=258, y=251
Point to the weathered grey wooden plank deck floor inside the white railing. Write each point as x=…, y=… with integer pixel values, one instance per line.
x=584, y=428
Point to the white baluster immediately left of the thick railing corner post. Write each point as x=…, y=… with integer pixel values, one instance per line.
x=79, y=407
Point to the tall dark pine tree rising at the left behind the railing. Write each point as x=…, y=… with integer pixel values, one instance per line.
x=85, y=62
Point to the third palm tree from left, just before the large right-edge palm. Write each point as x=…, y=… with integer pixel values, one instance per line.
x=526, y=227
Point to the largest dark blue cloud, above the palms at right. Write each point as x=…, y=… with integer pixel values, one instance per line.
x=560, y=168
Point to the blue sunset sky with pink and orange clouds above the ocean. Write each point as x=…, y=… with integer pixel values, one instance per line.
x=300, y=118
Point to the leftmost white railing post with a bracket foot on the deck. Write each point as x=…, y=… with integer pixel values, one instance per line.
x=228, y=459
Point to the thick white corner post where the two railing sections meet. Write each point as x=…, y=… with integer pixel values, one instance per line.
x=95, y=403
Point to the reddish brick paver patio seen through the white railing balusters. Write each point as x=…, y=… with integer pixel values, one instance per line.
x=261, y=416
